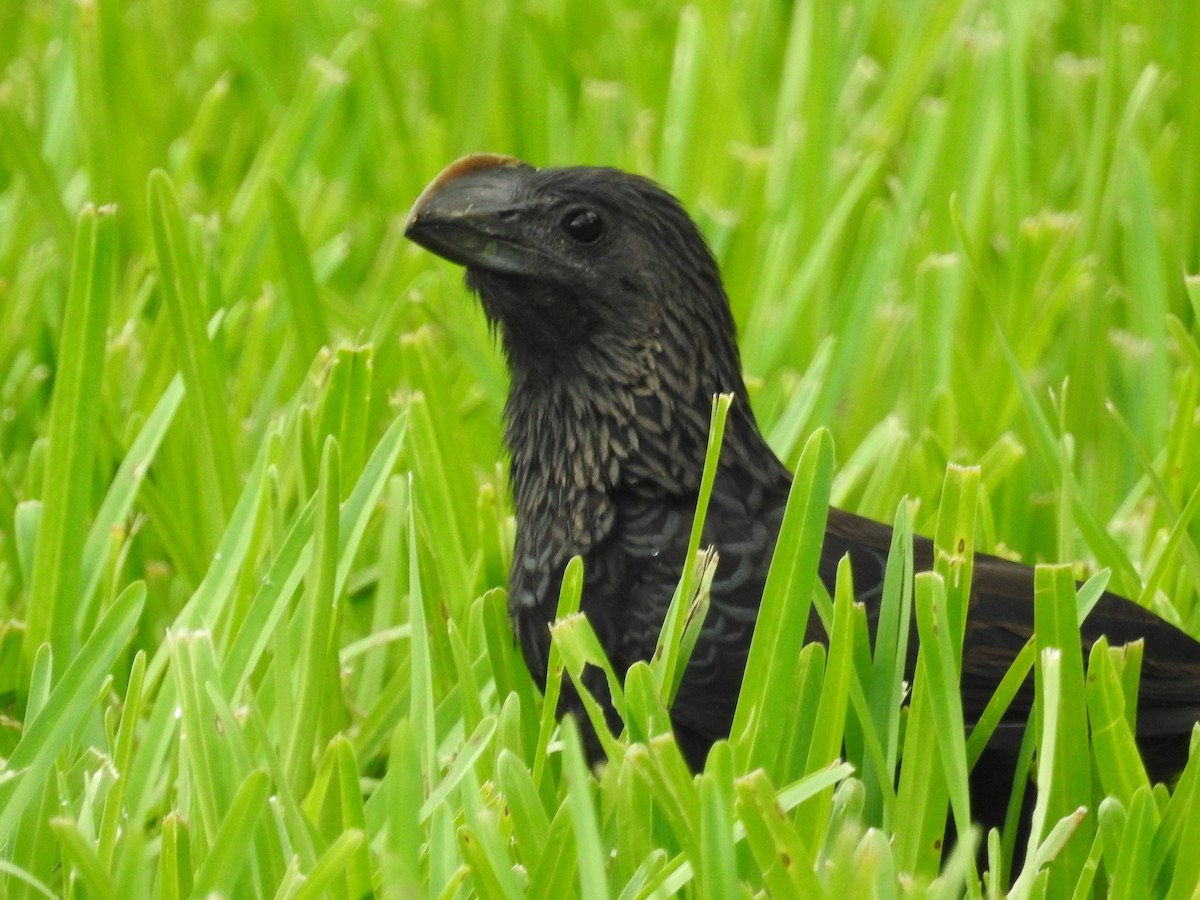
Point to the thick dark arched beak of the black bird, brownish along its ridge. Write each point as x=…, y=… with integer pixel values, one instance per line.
x=466, y=215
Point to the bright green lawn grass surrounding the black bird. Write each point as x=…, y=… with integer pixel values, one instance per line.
x=254, y=520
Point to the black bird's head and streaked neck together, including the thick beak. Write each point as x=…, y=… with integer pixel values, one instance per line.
x=613, y=317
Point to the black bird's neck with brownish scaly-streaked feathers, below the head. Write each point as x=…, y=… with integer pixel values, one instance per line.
x=597, y=429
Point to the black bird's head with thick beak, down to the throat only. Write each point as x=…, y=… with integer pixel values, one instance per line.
x=583, y=268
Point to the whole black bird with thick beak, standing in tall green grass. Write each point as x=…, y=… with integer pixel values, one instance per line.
x=617, y=333
